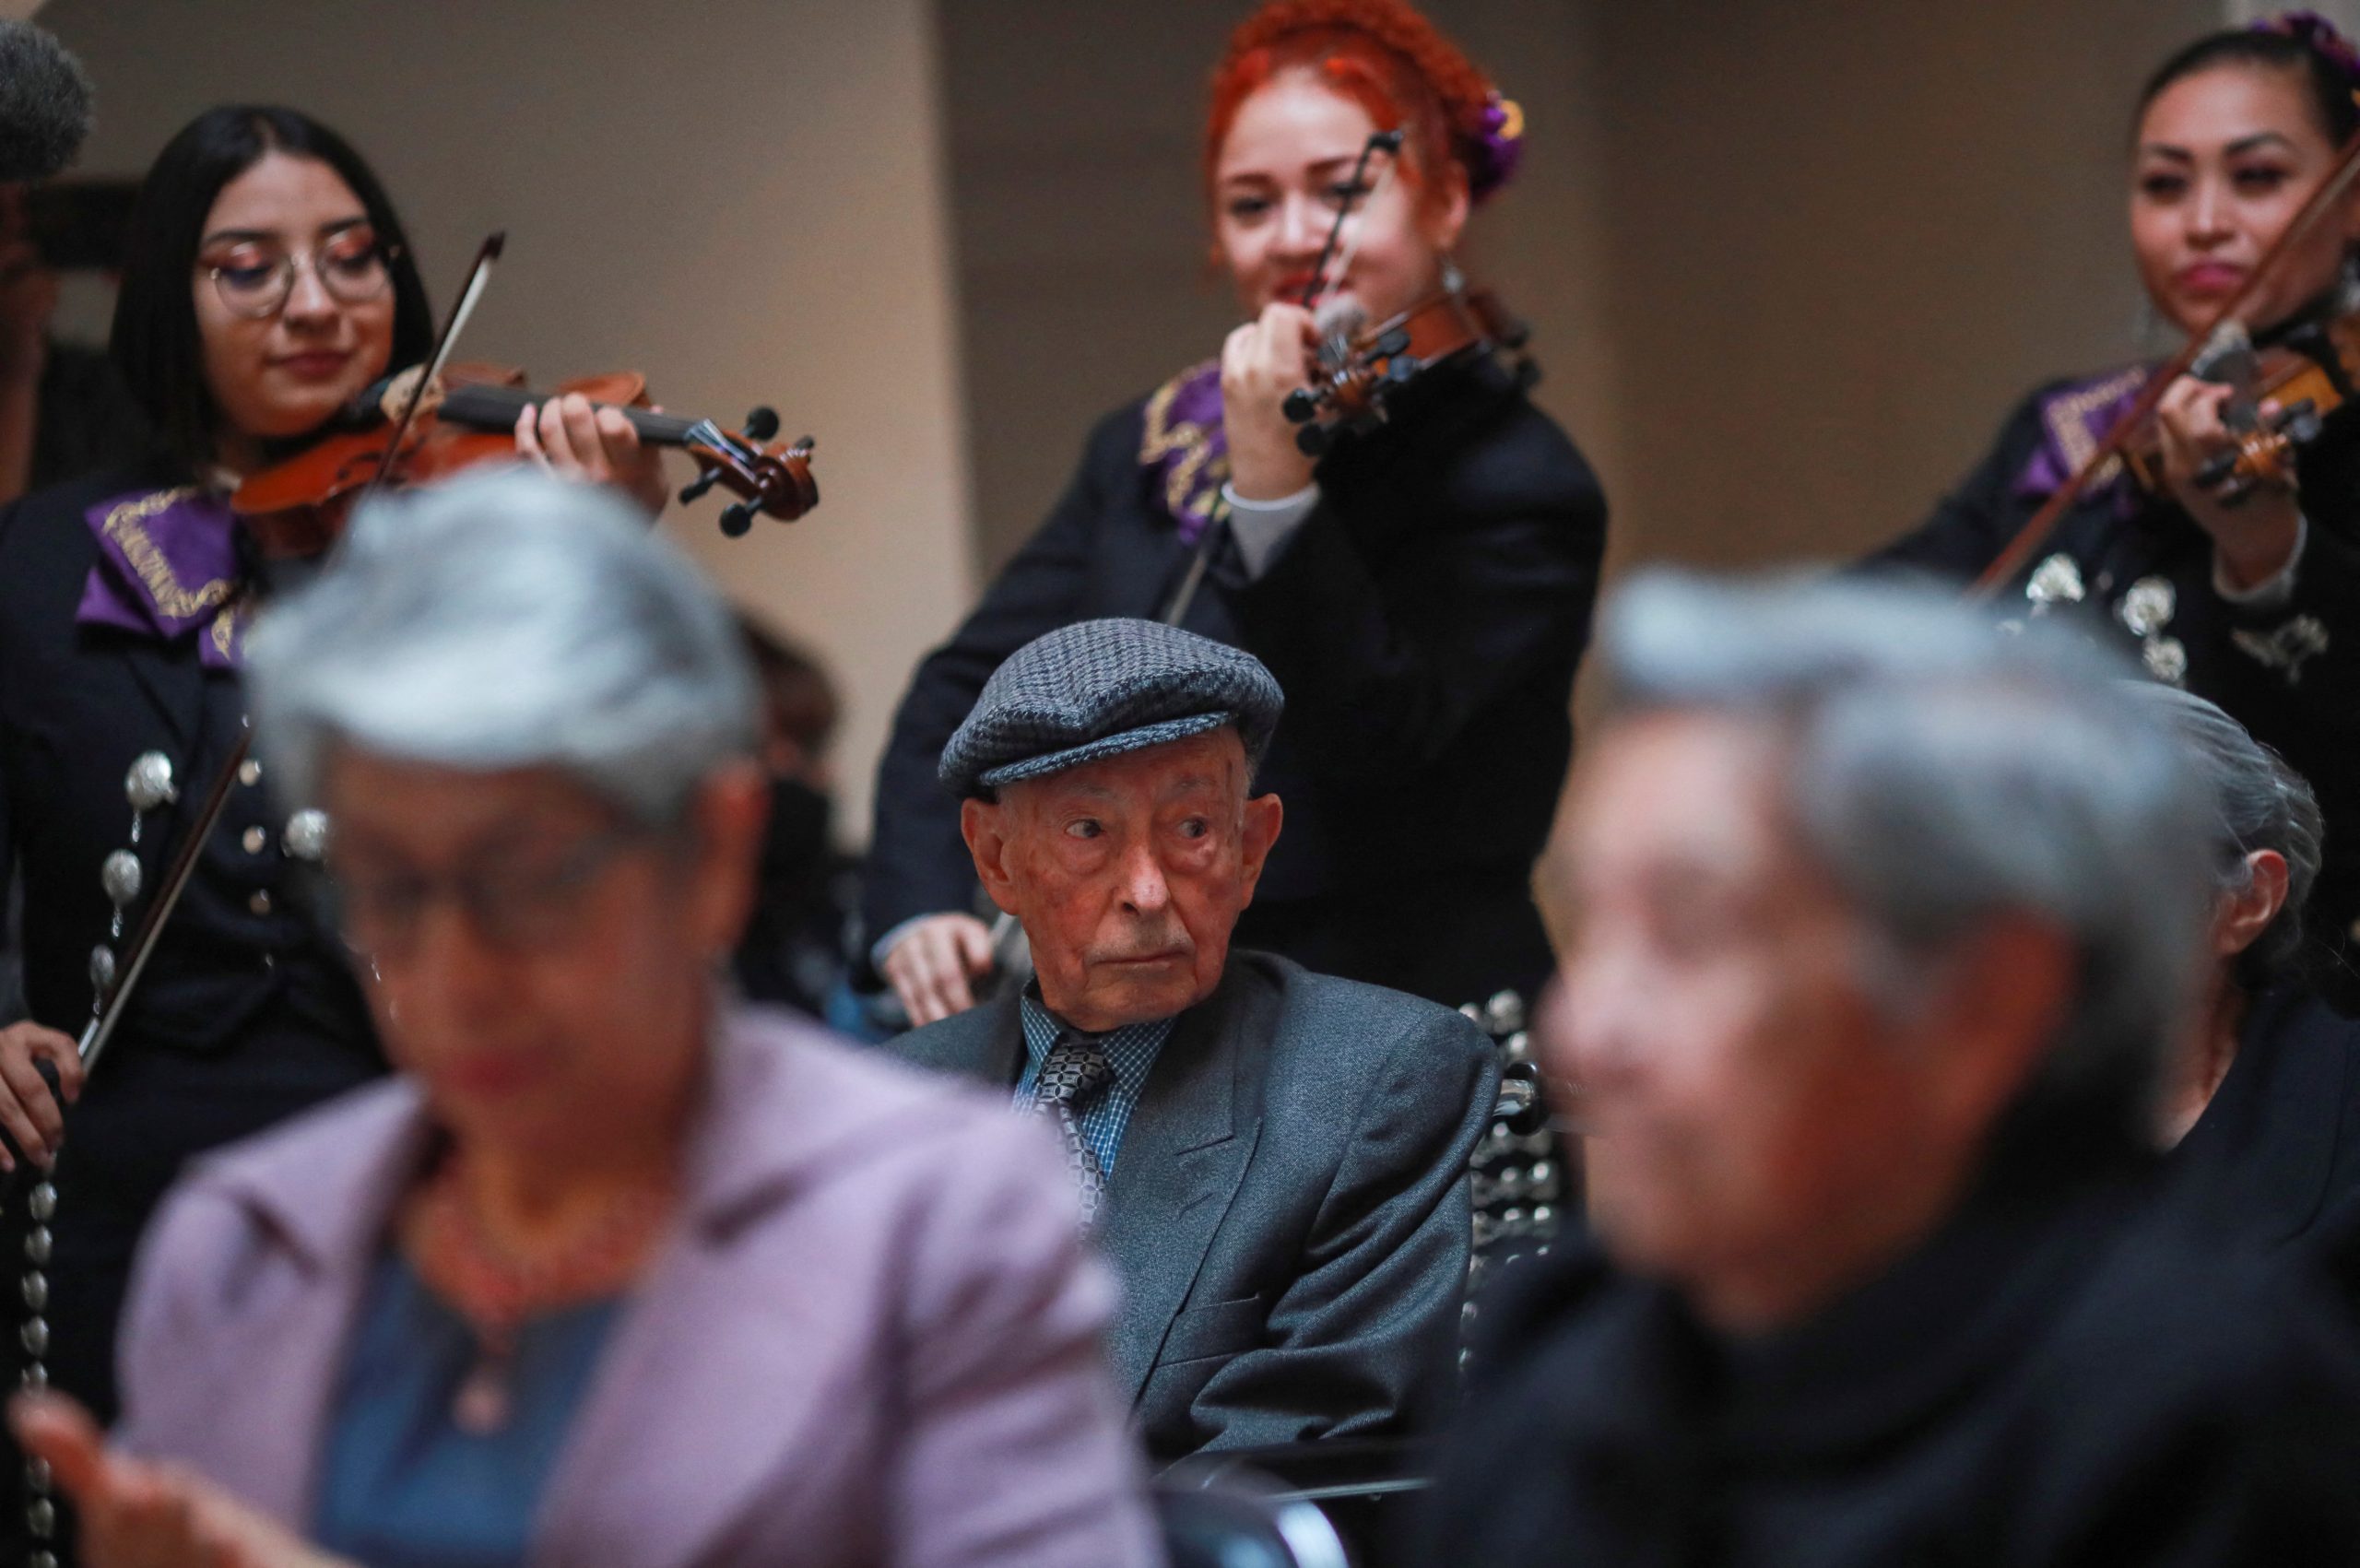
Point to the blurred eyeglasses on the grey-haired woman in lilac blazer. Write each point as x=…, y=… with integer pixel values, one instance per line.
x=511, y=906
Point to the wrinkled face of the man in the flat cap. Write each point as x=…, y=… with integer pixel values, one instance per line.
x=1129, y=875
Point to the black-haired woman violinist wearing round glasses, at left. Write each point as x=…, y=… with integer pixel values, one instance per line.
x=268, y=282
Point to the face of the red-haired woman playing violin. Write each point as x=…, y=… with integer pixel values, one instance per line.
x=1283, y=176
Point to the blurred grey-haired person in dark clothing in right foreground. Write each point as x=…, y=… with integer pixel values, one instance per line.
x=1875, y=934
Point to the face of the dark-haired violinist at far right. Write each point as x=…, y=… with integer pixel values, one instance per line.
x=2222, y=166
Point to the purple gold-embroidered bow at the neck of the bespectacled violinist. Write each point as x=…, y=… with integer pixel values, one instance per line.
x=169, y=568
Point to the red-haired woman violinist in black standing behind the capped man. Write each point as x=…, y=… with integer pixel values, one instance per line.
x=1422, y=592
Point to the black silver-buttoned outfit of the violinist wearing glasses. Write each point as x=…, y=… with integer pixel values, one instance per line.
x=247, y=1012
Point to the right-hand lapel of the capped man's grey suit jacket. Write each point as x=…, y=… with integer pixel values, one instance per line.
x=1184, y=1156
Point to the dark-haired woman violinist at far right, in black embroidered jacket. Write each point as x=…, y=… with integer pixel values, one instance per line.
x=2248, y=596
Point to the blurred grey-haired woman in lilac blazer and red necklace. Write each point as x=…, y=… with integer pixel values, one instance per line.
x=612, y=1272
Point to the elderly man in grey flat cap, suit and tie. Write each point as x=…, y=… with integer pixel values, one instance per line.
x=1276, y=1161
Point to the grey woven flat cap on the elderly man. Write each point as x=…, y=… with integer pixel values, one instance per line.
x=1103, y=688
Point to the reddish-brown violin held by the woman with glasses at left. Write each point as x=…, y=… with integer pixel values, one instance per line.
x=468, y=417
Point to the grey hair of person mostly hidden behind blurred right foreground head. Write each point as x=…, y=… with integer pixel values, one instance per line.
x=2260, y=804
